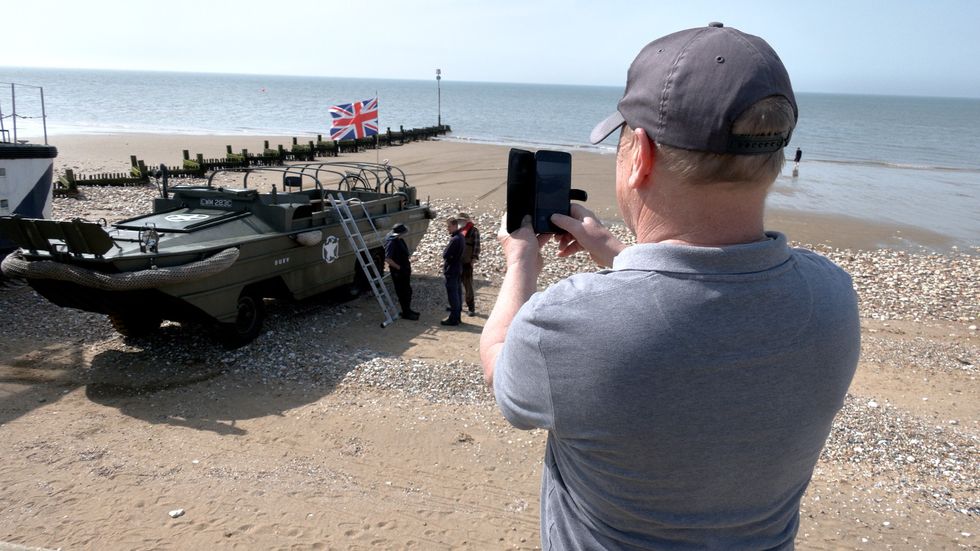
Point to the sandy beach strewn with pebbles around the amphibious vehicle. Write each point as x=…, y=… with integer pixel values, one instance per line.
x=330, y=433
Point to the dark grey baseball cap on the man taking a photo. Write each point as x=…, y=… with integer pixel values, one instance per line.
x=687, y=88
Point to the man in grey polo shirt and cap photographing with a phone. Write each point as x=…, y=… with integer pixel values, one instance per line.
x=687, y=392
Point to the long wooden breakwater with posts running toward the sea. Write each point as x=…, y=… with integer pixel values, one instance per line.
x=197, y=167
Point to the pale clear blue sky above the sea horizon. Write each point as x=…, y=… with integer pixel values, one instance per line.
x=927, y=47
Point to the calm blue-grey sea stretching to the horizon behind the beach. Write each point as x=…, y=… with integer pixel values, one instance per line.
x=906, y=160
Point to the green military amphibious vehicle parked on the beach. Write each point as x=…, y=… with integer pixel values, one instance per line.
x=214, y=252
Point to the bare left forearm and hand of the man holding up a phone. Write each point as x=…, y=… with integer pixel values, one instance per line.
x=522, y=252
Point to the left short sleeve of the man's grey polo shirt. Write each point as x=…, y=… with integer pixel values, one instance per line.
x=521, y=382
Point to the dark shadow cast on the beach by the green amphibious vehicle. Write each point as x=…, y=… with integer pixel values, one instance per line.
x=181, y=376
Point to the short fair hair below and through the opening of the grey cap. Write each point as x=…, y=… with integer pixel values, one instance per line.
x=768, y=116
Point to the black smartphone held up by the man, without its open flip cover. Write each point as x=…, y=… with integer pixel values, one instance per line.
x=553, y=182
